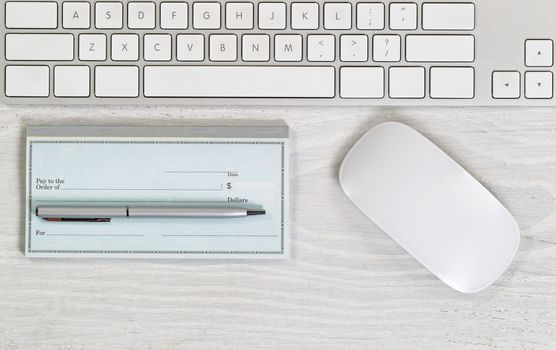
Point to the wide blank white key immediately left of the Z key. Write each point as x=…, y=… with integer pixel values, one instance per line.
x=39, y=47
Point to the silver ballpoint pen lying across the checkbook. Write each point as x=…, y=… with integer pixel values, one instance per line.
x=106, y=214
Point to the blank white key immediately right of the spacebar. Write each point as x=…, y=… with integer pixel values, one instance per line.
x=362, y=82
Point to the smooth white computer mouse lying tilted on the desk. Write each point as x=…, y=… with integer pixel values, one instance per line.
x=431, y=206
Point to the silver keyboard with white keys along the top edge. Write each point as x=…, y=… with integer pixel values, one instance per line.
x=430, y=53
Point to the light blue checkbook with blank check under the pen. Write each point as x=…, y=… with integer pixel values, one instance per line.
x=157, y=192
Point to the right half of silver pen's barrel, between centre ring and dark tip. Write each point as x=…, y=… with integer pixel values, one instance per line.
x=186, y=212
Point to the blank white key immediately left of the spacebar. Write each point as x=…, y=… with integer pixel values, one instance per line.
x=116, y=81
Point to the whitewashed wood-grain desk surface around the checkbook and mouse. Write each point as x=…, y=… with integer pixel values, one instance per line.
x=347, y=284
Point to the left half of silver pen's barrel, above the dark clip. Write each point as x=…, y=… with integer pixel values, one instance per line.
x=81, y=212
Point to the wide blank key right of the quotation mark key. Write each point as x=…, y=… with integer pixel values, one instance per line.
x=448, y=16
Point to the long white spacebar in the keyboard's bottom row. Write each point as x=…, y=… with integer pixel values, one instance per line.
x=239, y=81
